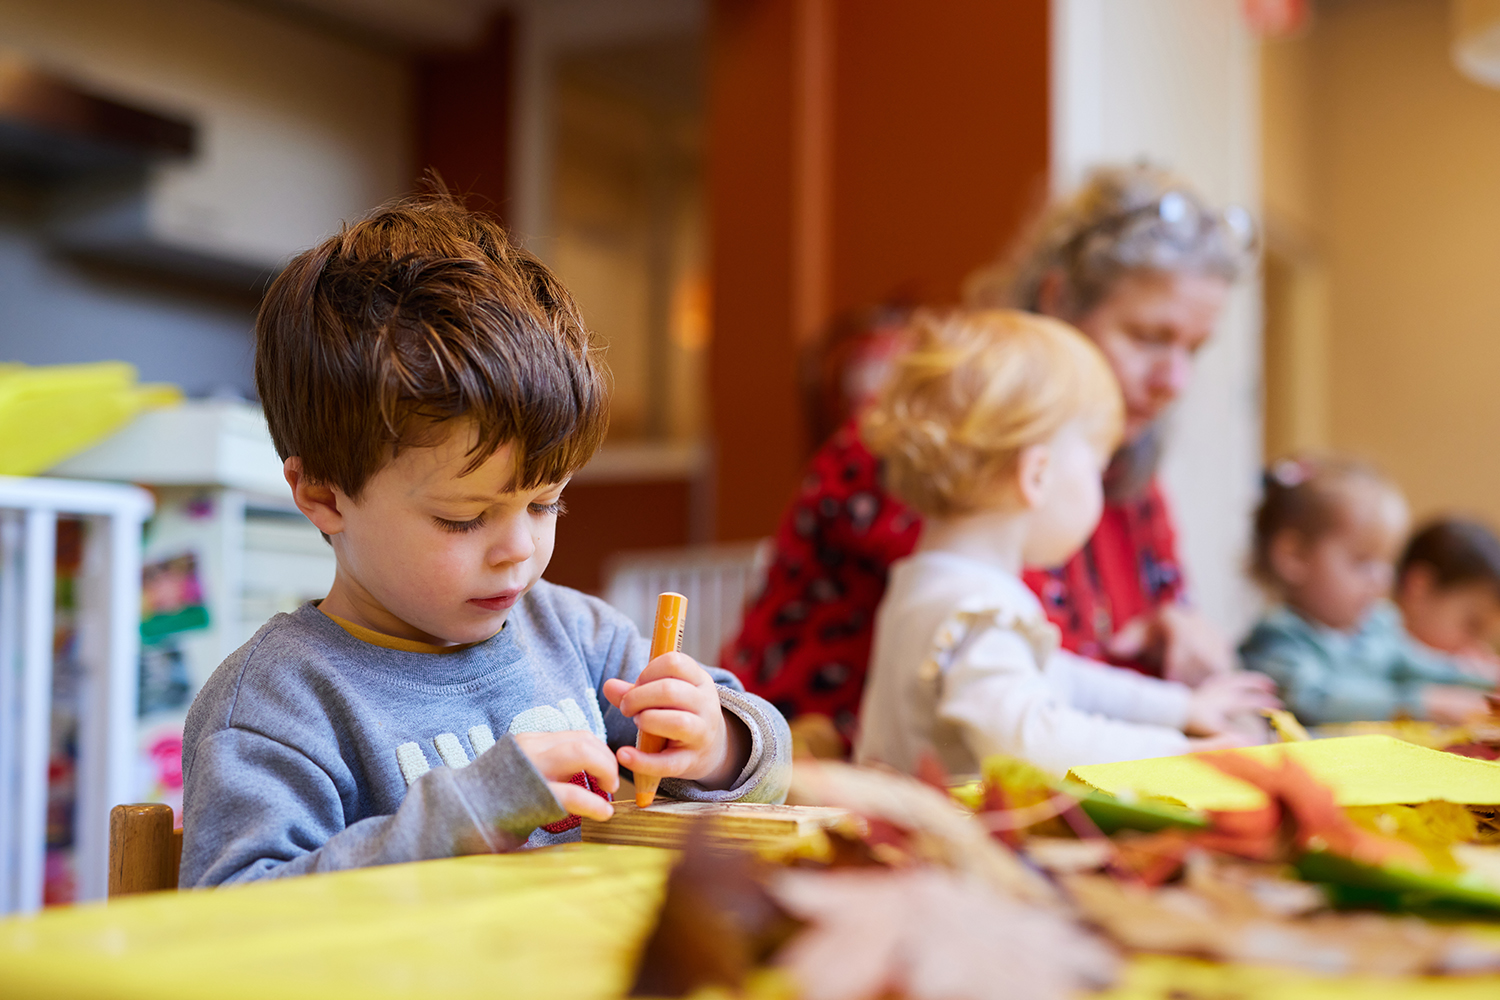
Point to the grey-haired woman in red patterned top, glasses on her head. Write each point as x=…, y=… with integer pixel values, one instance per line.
x=1141, y=265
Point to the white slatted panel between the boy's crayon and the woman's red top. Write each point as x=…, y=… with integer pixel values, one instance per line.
x=715, y=579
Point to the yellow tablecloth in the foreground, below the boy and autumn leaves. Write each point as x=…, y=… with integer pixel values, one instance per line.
x=553, y=924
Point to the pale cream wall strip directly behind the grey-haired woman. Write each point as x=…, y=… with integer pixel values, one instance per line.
x=1175, y=82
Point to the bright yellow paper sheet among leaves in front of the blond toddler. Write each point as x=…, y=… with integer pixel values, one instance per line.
x=1360, y=770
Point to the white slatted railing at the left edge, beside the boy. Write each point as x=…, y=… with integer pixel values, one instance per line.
x=110, y=650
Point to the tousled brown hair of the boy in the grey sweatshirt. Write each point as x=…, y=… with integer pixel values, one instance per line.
x=412, y=319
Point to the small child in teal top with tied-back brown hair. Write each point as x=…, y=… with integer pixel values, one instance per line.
x=1327, y=536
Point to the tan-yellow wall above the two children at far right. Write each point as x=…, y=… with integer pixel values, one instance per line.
x=1382, y=197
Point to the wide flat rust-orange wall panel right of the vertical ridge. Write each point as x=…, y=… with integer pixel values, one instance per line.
x=941, y=124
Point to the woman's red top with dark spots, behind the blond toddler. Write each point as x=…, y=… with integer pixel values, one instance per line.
x=805, y=644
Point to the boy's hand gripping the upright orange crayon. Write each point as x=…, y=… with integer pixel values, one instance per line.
x=676, y=699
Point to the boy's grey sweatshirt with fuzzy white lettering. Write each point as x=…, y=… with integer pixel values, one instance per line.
x=310, y=750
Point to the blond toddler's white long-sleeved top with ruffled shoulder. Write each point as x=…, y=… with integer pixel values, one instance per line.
x=965, y=665
